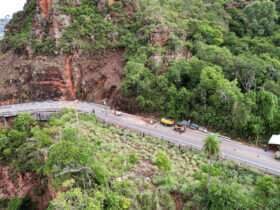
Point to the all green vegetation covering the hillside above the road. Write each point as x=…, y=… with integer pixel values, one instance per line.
x=215, y=62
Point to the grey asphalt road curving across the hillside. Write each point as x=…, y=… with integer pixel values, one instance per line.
x=232, y=150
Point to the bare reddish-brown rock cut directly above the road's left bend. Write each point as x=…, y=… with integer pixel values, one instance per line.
x=67, y=77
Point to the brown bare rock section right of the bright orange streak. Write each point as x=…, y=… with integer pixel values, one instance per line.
x=100, y=77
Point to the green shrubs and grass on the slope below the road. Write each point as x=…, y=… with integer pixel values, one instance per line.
x=95, y=166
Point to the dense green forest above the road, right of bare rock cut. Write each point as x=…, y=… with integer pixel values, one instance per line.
x=232, y=81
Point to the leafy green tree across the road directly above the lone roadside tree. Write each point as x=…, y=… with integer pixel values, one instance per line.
x=216, y=96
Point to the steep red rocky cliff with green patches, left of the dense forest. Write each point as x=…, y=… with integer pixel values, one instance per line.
x=75, y=49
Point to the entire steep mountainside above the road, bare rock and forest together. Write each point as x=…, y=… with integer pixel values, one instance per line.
x=216, y=62
